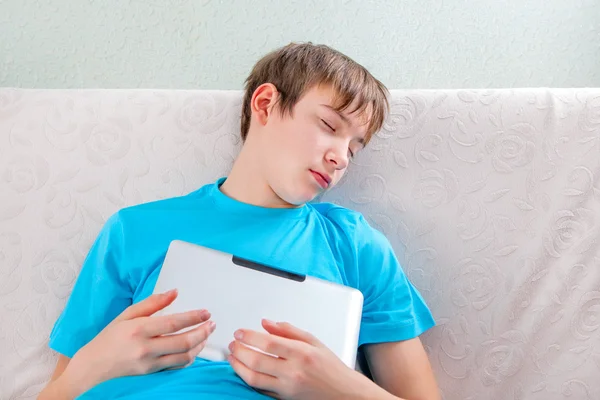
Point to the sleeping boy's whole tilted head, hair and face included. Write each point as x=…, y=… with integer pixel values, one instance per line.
x=307, y=110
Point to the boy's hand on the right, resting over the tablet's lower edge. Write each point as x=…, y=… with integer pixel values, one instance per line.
x=303, y=369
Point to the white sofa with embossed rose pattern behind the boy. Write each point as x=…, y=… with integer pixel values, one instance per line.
x=491, y=199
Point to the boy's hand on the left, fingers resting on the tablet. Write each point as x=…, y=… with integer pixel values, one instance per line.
x=133, y=343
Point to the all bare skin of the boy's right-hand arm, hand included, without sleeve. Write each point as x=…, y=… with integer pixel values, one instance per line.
x=306, y=369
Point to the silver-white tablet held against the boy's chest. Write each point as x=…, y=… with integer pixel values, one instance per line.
x=239, y=293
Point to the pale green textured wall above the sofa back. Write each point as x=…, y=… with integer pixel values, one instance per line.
x=213, y=44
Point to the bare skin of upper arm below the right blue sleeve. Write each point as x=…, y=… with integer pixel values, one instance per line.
x=403, y=369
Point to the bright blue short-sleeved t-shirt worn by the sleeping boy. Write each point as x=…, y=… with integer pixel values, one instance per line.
x=321, y=240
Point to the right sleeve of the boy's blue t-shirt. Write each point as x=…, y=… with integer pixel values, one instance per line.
x=393, y=309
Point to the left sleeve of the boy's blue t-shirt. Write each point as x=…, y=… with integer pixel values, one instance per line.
x=101, y=293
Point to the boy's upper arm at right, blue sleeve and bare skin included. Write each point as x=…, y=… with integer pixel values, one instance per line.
x=394, y=316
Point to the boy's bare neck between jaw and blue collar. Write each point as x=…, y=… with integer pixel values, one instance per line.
x=246, y=183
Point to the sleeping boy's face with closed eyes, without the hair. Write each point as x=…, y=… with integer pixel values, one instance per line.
x=308, y=152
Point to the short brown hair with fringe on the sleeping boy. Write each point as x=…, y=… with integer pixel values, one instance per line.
x=298, y=67
